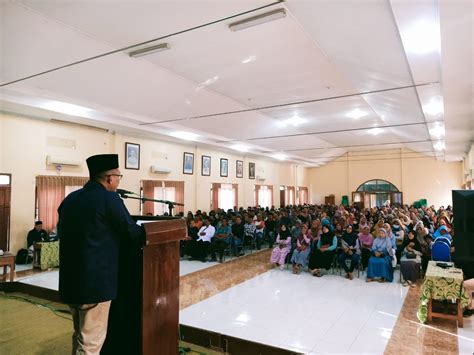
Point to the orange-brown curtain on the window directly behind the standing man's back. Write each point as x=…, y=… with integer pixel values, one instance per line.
x=50, y=192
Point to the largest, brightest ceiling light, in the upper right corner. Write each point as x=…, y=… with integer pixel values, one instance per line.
x=422, y=37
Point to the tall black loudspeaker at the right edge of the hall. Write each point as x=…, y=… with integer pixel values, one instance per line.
x=463, y=214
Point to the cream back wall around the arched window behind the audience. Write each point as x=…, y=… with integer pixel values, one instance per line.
x=416, y=175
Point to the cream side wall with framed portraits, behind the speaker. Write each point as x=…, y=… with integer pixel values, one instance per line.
x=25, y=143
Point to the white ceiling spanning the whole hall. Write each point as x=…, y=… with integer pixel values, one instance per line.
x=314, y=67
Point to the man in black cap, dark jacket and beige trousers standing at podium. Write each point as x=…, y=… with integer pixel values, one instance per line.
x=92, y=222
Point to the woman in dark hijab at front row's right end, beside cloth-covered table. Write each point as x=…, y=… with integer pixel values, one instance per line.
x=411, y=259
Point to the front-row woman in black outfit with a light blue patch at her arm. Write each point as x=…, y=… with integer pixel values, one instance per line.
x=323, y=255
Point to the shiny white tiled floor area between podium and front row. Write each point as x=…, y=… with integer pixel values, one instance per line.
x=304, y=313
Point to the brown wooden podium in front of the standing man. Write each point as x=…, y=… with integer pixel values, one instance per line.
x=144, y=319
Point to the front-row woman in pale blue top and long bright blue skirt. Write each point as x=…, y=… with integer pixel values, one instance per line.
x=380, y=263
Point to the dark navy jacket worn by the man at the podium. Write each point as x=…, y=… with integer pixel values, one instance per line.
x=92, y=223
